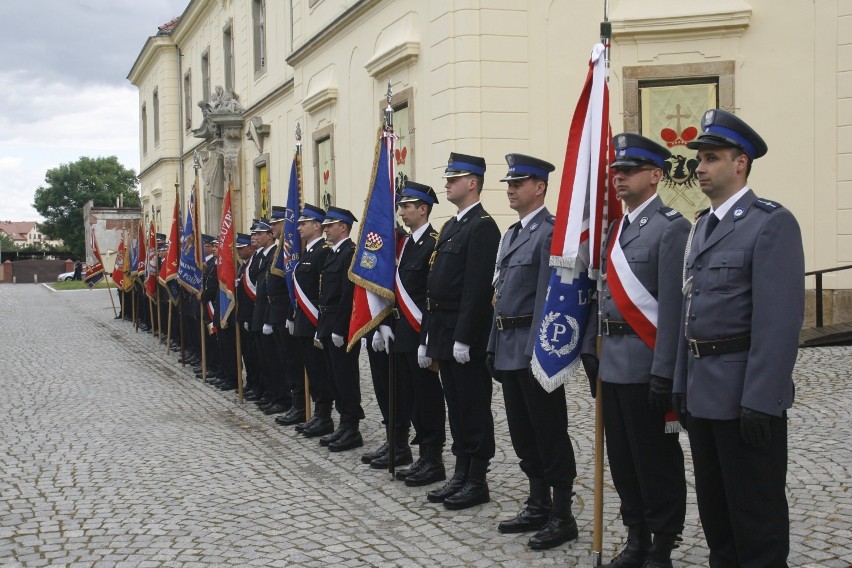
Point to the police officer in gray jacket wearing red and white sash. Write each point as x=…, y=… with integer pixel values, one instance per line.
x=638, y=352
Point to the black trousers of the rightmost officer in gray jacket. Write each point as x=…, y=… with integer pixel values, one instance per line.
x=740, y=491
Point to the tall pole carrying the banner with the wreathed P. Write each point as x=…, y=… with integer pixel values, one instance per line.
x=597, y=531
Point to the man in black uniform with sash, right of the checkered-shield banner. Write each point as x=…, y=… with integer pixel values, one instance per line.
x=419, y=398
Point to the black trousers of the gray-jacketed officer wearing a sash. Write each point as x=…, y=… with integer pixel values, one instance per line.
x=646, y=463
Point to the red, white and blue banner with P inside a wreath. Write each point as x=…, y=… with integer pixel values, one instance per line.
x=581, y=219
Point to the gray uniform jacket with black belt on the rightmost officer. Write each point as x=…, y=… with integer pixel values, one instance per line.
x=747, y=278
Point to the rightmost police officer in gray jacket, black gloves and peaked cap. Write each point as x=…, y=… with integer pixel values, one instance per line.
x=742, y=314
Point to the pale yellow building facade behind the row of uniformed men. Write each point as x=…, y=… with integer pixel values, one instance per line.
x=490, y=77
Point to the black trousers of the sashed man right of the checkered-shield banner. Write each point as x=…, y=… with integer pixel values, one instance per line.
x=420, y=400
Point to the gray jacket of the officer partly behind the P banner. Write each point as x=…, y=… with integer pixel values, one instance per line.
x=520, y=291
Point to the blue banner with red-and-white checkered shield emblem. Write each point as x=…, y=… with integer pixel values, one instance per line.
x=374, y=264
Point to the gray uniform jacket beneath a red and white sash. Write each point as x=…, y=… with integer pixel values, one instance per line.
x=654, y=246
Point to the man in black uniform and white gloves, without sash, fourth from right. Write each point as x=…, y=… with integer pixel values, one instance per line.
x=459, y=293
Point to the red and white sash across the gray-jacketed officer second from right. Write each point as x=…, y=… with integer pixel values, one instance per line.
x=633, y=300
